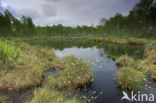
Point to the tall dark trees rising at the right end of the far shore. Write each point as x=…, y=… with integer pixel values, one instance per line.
x=140, y=21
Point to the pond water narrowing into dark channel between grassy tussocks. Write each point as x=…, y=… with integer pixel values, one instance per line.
x=104, y=68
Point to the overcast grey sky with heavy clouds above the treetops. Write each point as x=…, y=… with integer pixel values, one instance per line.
x=67, y=12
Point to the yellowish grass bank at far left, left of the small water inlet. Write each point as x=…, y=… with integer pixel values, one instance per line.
x=29, y=72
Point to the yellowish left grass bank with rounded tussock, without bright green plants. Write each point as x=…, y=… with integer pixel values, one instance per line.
x=35, y=61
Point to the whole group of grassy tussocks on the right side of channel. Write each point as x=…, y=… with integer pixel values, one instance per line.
x=132, y=73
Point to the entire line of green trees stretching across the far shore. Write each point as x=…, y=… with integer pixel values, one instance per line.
x=140, y=21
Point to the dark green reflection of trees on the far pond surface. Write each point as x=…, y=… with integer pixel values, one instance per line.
x=112, y=50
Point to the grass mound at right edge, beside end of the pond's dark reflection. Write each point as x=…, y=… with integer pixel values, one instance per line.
x=150, y=53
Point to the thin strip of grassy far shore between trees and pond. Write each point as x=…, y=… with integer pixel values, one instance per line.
x=115, y=39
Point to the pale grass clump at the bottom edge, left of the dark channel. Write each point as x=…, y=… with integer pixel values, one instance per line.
x=47, y=95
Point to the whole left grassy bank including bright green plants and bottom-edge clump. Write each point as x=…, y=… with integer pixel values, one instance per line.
x=31, y=64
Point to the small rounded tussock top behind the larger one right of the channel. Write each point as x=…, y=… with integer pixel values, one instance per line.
x=125, y=61
